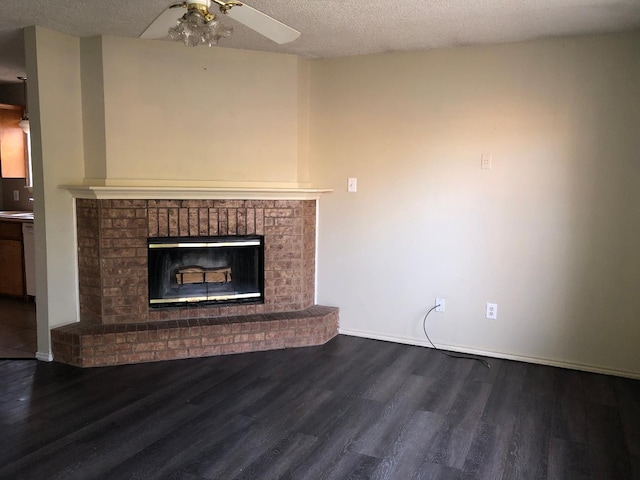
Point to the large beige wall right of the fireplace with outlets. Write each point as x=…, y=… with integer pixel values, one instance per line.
x=550, y=233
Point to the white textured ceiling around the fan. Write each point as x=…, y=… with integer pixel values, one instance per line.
x=333, y=28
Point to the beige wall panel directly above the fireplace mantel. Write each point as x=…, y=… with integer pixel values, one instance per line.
x=177, y=114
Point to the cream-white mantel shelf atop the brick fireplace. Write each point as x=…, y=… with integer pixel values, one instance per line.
x=192, y=193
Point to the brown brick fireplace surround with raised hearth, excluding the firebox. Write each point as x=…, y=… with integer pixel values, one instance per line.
x=116, y=323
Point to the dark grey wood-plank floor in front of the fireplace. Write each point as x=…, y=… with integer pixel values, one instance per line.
x=351, y=409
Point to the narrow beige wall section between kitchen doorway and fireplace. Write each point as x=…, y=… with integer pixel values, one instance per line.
x=55, y=110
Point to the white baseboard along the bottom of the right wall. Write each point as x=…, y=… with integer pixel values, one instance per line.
x=485, y=353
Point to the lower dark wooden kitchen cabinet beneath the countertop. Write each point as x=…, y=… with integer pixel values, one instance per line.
x=11, y=259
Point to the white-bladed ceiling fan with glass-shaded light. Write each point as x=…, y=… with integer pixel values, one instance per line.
x=200, y=26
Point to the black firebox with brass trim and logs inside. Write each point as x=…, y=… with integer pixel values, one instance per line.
x=209, y=270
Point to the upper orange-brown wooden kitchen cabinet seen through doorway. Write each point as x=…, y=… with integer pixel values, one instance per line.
x=12, y=143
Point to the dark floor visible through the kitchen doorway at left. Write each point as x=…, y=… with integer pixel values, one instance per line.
x=17, y=329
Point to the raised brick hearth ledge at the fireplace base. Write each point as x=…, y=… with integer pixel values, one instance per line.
x=86, y=345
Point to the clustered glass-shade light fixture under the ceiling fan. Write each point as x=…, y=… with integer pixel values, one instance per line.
x=199, y=27
